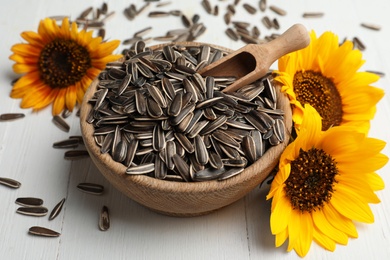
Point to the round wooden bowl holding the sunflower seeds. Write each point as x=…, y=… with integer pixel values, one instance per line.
x=183, y=199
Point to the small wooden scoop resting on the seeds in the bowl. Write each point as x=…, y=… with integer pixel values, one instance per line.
x=252, y=61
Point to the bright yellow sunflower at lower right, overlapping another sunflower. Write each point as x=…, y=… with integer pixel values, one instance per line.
x=325, y=181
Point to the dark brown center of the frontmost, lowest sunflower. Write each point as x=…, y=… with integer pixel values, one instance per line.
x=311, y=180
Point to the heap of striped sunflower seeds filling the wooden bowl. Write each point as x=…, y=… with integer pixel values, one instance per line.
x=155, y=114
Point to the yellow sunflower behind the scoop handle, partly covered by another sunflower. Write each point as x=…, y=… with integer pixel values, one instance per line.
x=325, y=75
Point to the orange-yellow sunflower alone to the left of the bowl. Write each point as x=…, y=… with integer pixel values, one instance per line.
x=59, y=63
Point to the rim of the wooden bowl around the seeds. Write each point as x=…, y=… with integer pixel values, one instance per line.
x=257, y=171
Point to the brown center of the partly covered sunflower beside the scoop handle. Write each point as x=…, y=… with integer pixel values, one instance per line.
x=321, y=93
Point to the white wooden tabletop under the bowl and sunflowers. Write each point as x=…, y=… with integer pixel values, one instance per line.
x=239, y=231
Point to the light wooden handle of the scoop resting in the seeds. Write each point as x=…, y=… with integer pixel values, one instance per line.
x=295, y=38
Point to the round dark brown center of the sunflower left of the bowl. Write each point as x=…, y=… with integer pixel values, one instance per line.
x=63, y=63
